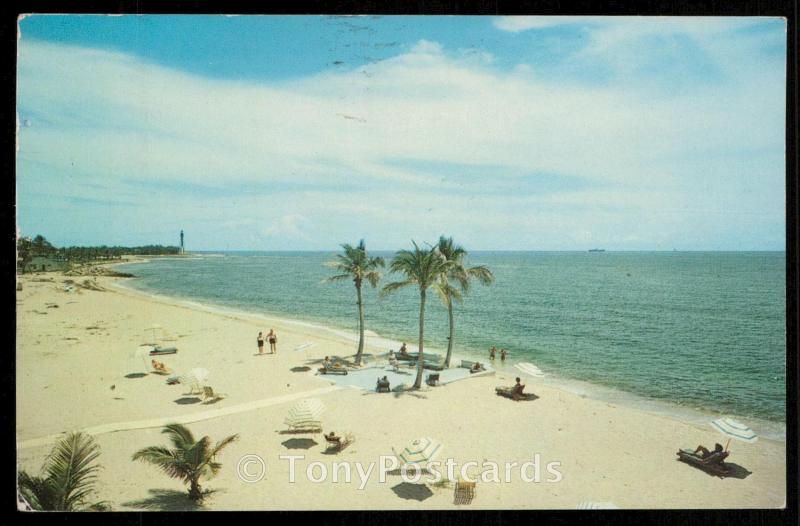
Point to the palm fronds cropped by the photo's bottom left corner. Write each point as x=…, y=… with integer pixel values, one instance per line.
x=68, y=477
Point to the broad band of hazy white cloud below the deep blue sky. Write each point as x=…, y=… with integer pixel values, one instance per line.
x=99, y=120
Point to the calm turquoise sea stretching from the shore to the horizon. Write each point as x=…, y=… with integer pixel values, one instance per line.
x=701, y=330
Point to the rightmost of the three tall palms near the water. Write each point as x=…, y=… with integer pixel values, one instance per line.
x=455, y=254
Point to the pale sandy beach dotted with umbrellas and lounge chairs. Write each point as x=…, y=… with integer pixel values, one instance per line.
x=73, y=347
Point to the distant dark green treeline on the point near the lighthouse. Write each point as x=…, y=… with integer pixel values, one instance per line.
x=39, y=246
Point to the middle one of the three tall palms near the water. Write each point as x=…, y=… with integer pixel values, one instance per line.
x=422, y=267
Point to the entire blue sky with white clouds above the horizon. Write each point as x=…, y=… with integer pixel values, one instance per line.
x=306, y=132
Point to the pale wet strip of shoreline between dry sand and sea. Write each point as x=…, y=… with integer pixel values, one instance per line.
x=698, y=417
